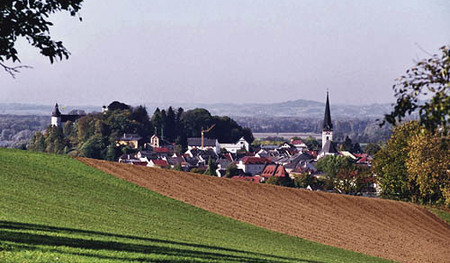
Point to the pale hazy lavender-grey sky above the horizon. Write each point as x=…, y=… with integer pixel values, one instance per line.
x=141, y=51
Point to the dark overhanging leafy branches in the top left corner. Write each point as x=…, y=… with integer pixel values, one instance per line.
x=29, y=19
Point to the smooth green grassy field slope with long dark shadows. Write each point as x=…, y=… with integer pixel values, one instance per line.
x=56, y=209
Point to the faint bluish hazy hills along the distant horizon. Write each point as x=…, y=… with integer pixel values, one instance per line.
x=296, y=108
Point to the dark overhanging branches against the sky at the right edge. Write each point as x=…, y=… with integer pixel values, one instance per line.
x=429, y=78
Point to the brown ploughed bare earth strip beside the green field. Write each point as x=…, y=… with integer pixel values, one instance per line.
x=389, y=229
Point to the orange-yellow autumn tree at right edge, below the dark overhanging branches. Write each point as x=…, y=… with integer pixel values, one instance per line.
x=428, y=168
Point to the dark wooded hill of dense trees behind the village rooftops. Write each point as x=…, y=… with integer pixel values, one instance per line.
x=95, y=134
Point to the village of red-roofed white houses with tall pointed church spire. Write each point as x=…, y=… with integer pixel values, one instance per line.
x=240, y=160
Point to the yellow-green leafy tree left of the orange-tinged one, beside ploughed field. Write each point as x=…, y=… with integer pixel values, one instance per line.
x=389, y=164
